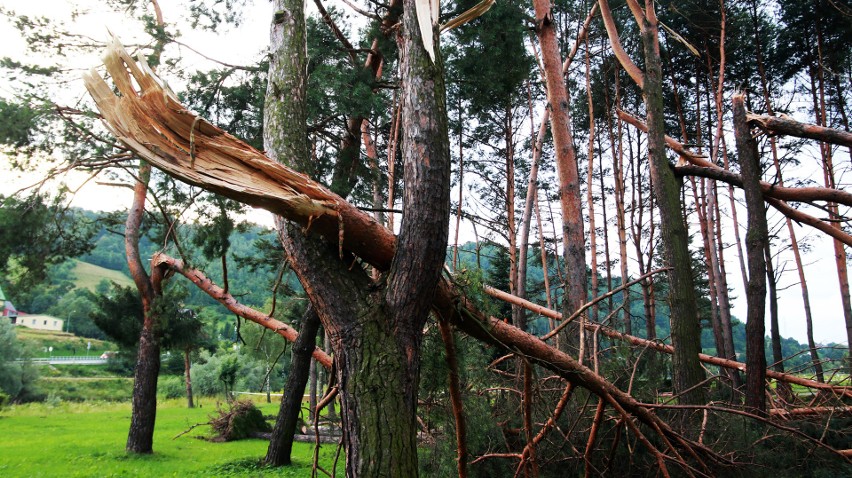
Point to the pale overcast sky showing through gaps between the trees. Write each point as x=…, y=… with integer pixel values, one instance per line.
x=244, y=45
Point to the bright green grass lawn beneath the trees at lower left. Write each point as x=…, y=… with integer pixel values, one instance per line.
x=87, y=439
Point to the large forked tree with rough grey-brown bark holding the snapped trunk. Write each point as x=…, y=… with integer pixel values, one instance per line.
x=375, y=327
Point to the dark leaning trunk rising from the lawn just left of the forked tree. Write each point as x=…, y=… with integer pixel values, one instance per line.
x=281, y=442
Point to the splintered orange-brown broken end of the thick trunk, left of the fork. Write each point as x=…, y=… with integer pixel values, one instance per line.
x=147, y=116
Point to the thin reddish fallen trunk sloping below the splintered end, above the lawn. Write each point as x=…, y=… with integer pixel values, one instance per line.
x=205, y=284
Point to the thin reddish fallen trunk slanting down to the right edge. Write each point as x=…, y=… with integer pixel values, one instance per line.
x=665, y=348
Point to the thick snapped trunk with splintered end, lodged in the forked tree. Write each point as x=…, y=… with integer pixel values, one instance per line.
x=159, y=129
